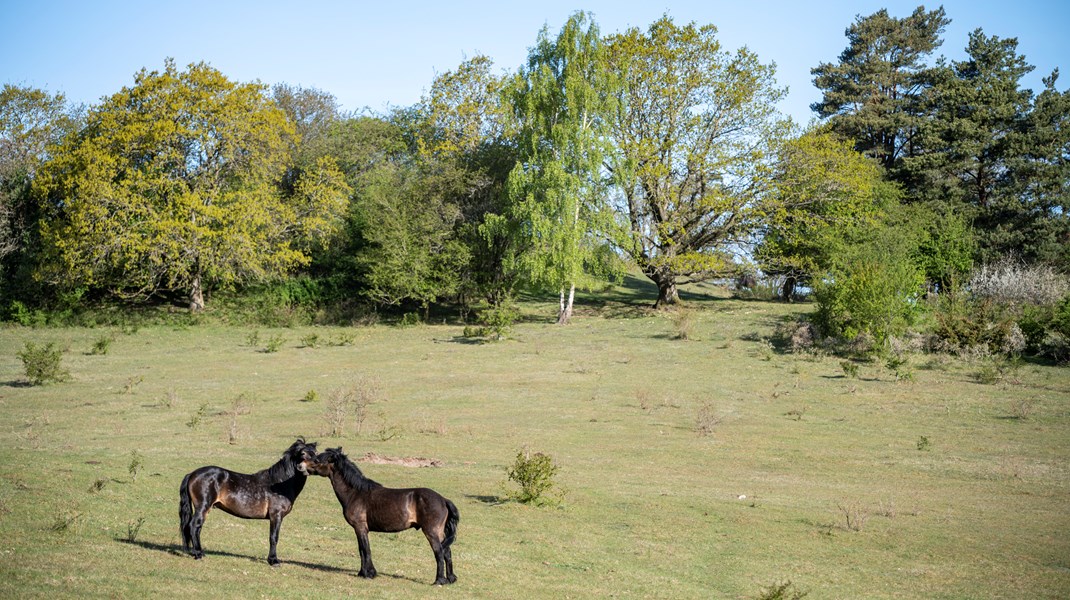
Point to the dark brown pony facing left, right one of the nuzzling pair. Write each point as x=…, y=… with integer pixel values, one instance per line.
x=371, y=507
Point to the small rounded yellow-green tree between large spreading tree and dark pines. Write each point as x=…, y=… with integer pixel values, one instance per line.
x=824, y=193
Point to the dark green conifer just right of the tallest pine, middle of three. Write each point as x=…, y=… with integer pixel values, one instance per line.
x=972, y=142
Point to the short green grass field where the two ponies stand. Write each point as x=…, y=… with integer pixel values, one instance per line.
x=713, y=467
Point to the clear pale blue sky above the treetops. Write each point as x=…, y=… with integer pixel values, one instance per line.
x=380, y=54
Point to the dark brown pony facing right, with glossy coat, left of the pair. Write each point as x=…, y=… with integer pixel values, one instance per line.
x=266, y=495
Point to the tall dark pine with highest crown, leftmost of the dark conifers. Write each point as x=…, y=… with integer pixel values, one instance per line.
x=872, y=95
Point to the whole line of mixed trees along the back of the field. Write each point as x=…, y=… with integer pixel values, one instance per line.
x=653, y=149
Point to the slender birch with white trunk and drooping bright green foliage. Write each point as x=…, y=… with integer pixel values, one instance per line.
x=557, y=194
